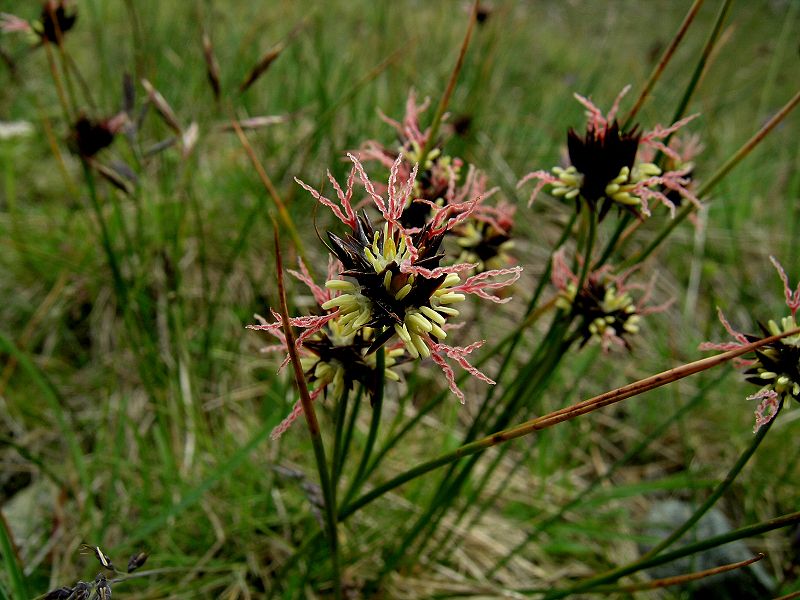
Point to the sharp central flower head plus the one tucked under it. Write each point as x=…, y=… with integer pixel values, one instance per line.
x=386, y=288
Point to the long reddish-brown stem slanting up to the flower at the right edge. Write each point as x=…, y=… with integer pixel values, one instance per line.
x=559, y=416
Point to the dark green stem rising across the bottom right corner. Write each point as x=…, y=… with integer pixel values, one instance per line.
x=688, y=550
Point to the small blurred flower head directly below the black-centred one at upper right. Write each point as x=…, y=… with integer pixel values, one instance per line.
x=605, y=305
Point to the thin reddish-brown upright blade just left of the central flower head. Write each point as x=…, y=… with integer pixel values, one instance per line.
x=313, y=425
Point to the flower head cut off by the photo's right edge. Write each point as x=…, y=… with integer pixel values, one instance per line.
x=776, y=366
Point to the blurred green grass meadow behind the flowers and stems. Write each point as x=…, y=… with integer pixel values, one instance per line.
x=141, y=397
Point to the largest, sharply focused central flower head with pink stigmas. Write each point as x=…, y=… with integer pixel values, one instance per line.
x=392, y=280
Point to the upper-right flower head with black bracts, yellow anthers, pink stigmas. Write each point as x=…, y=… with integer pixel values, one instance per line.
x=604, y=171
